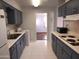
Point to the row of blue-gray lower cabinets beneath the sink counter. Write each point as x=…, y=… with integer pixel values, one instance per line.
x=17, y=49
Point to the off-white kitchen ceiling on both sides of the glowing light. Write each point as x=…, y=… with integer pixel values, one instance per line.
x=44, y=3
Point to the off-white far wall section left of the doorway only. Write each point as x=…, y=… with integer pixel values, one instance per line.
x=29, y=22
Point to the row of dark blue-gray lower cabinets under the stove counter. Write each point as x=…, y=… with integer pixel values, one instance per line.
x=63, y=51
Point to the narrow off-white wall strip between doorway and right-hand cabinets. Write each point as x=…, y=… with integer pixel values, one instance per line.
x=52, y=23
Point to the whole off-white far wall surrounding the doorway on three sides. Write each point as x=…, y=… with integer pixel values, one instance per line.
x=29, y=20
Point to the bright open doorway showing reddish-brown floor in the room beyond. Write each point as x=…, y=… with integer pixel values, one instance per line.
x=41, y=26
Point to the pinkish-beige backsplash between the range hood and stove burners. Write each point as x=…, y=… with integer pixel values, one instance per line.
x=73, y=26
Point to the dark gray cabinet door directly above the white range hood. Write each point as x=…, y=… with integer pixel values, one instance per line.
x=73, y=7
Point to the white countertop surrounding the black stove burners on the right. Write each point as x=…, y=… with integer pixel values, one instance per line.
x=75, y=48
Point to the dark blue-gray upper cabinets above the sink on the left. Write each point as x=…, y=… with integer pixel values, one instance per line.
x=13, y=15
